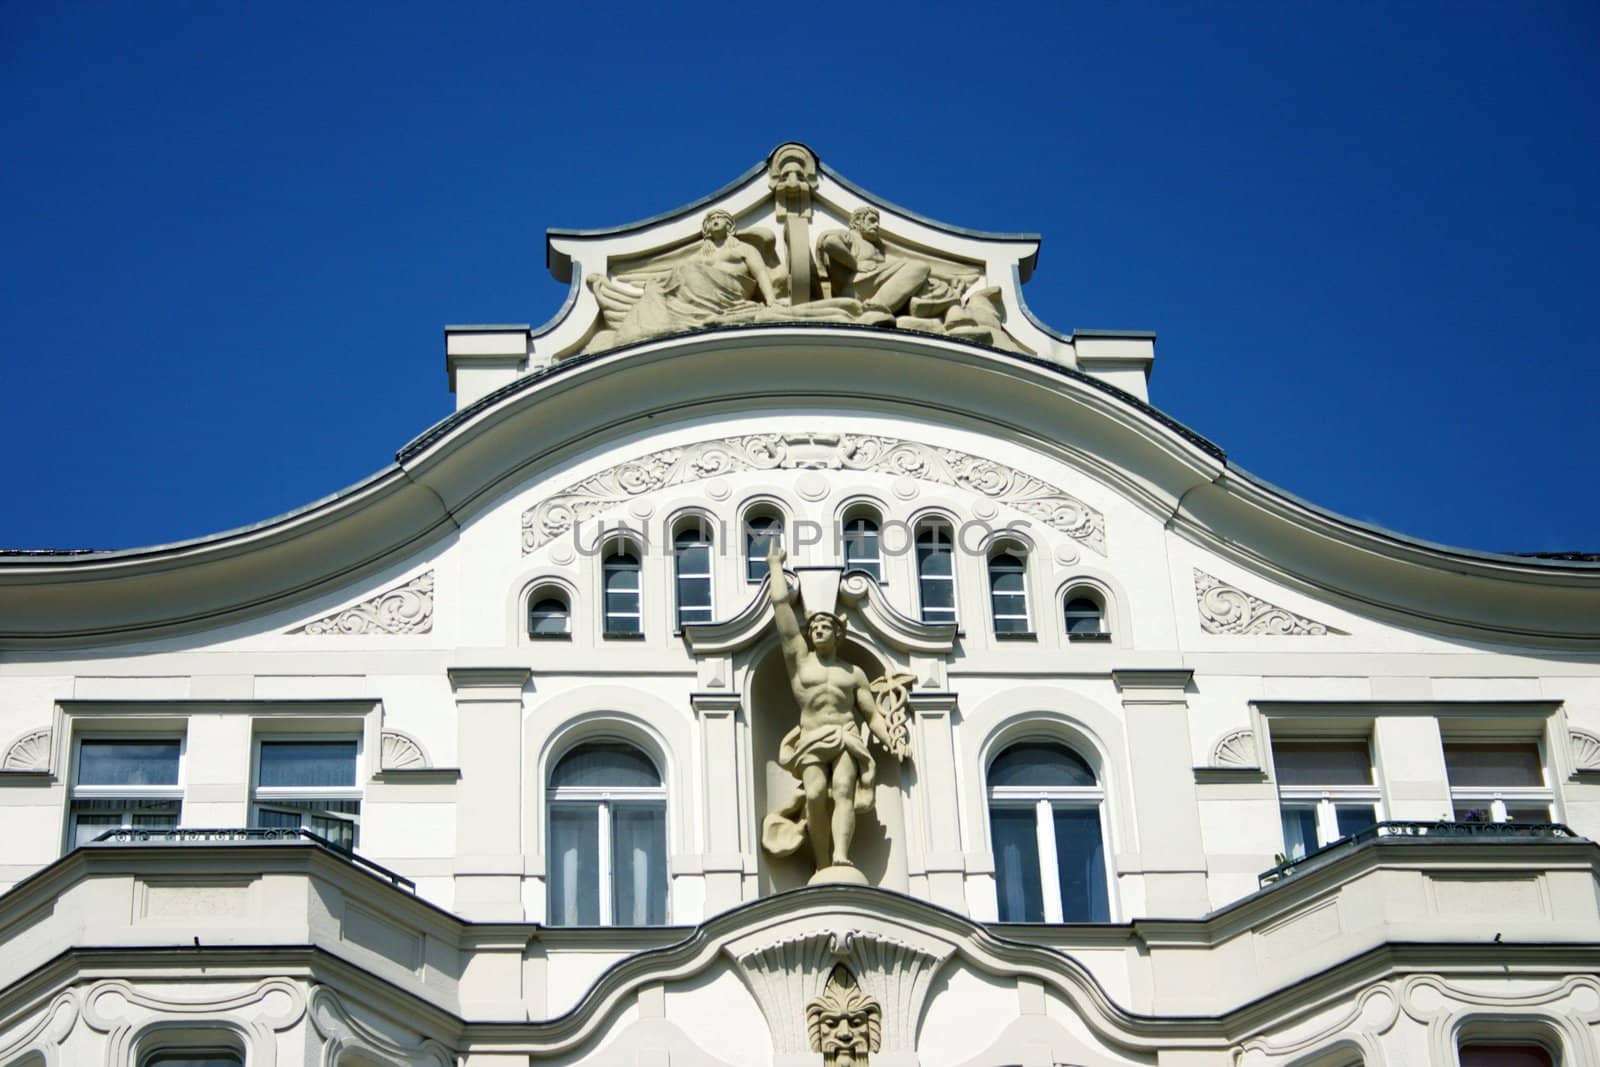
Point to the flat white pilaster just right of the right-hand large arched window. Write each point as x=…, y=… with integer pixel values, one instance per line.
x=1156, y=711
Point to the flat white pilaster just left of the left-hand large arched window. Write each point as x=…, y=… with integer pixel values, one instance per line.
x=490, y=799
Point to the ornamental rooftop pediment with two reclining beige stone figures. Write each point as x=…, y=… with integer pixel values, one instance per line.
x=793, y=244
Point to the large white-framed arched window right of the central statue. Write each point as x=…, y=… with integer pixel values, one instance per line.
x=1046, y=826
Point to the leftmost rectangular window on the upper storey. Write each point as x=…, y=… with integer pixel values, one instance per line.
x=126, y=783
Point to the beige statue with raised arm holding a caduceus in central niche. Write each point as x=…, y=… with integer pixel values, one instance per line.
x=826, y=753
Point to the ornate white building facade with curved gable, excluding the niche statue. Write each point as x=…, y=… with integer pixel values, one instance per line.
x=471, y=762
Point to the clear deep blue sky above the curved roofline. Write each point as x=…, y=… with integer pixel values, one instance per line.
x=1366, y=233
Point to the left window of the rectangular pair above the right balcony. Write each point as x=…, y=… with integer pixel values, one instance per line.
x=1326, y=793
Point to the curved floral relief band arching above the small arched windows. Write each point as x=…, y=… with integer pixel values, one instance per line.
x=604, y=492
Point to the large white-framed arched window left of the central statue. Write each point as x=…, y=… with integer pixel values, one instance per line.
x=609, y=839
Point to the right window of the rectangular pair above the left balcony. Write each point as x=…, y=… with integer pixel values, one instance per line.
x=313, y=786
